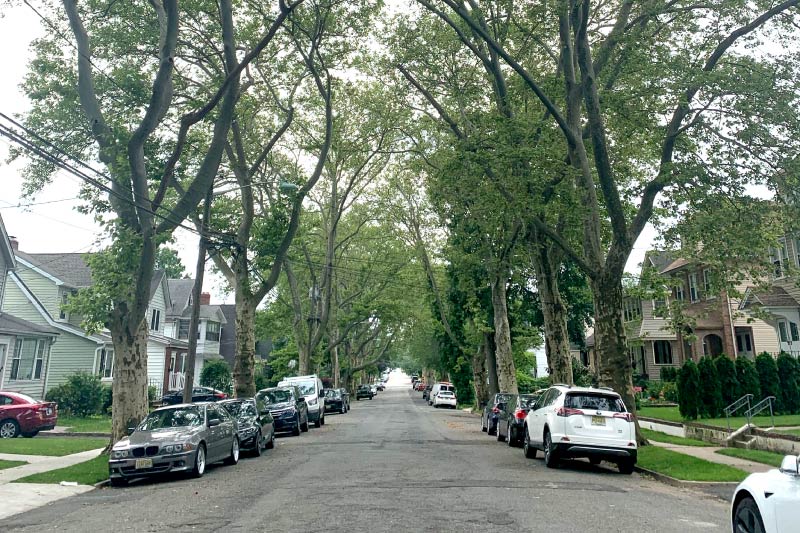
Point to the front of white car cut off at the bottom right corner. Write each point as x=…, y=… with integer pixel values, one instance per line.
x=768, y=502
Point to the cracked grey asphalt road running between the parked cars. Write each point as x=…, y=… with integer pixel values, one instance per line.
x=391, y=464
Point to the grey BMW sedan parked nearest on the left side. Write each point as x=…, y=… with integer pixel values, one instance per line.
x=177, y=438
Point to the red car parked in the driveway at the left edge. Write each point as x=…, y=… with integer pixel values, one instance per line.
x=22, y=415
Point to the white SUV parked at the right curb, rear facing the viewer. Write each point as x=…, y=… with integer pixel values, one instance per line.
x=569, y=422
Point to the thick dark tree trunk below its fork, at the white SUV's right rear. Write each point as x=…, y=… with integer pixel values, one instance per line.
x=612, y=350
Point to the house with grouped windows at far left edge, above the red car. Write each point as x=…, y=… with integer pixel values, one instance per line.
x=25, y=347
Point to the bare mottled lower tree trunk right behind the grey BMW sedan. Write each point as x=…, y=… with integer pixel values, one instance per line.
x=129, y=402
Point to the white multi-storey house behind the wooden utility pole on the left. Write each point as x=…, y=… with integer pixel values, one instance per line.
x=176, y=323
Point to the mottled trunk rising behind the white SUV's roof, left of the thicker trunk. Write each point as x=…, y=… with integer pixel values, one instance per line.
x=554, y=311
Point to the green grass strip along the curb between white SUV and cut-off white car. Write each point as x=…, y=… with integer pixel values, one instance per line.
x=685, y=467
